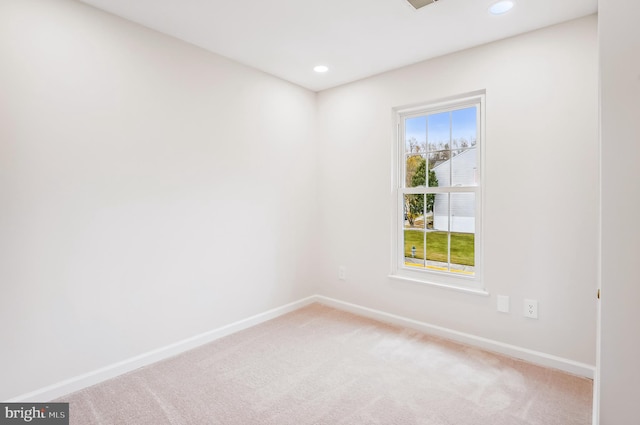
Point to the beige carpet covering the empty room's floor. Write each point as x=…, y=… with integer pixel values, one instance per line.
x=319, y=365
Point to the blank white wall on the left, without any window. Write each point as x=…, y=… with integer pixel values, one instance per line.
x=150, y=191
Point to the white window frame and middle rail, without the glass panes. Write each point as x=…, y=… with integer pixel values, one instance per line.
x=457, y=281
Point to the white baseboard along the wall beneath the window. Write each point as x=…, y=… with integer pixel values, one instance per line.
x=532, y=356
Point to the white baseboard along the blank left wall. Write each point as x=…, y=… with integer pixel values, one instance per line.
x=77, y=383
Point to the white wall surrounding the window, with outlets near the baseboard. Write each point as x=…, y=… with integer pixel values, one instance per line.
x=541, y=161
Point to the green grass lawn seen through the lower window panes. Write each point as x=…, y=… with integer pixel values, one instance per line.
x=462, y=246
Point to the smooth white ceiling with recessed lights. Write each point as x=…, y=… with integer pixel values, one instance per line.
x=354, y=38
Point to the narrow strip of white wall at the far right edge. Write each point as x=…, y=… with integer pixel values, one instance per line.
x=619, y=37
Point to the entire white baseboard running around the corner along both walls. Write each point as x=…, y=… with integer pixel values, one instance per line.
x=95, y=377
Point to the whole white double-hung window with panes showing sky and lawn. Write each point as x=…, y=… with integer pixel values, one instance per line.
x=437, y=228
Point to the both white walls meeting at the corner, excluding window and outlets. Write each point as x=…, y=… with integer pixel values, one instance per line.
x=153, y=191
